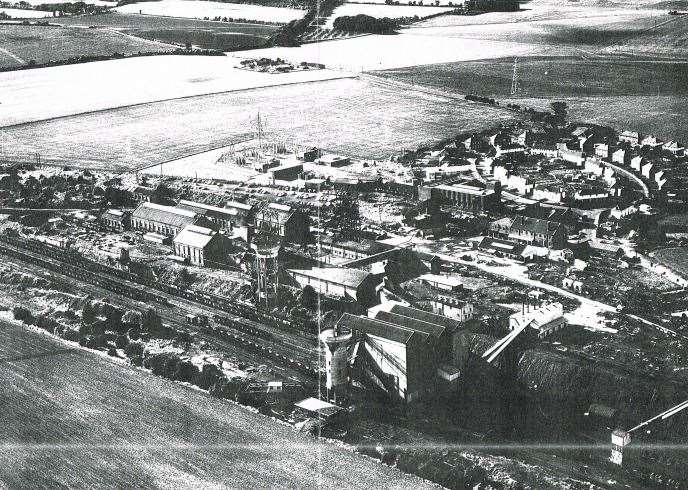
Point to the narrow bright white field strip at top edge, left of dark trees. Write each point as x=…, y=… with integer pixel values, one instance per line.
x=195, y=9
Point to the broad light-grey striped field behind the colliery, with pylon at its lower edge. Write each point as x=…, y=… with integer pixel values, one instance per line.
x=349, y=116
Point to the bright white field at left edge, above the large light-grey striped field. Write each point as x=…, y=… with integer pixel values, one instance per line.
x=31, y=95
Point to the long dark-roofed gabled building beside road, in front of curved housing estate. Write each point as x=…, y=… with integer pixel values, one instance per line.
x=530, y=231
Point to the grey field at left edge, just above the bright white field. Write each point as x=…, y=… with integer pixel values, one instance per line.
x=52, y=43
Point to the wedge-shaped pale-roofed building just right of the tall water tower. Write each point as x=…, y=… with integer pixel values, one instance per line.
x=339, y=282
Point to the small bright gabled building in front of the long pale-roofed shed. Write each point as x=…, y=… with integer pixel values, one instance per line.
x=201, y=246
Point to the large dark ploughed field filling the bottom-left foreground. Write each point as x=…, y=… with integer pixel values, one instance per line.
x=72, y=418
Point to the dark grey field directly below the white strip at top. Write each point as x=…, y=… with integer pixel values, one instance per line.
x=222, y=36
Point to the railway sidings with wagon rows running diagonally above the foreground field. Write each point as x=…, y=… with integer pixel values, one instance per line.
x=282, y=350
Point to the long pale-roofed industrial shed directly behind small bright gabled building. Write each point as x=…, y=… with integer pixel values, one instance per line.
x=164, y=220
